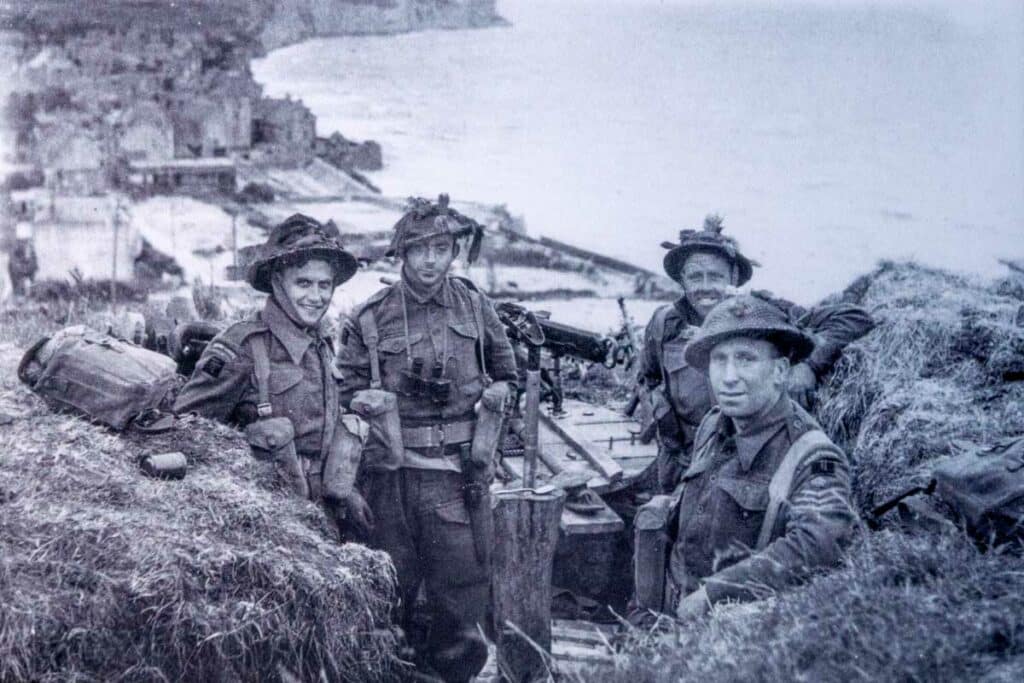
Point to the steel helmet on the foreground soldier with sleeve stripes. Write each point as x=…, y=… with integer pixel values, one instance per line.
x=753, y=318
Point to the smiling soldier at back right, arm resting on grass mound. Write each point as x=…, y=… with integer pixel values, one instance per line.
x=708, y=265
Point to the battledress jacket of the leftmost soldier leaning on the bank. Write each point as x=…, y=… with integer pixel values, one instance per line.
x=302, y=388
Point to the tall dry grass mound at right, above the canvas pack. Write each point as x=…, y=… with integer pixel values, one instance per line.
x=933, y=372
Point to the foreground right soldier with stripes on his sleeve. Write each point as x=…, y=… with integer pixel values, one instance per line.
x=766, y=498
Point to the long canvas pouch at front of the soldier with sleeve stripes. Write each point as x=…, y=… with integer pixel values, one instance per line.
x=653, y=541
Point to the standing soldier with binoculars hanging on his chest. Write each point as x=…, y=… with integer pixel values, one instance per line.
x=435, y=346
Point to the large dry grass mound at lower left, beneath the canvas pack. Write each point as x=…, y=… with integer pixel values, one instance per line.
x=106, y=575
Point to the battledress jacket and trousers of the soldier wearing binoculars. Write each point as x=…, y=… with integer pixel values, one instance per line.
x=418, y=504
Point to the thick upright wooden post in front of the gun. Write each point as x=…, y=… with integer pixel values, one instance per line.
x=526, y=536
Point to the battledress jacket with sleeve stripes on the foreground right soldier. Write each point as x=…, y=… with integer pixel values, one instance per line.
x=724, y=498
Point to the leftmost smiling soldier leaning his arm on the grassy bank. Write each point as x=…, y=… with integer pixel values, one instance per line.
x=272, y=375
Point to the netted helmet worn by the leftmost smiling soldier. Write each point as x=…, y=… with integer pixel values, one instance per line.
x=302, y=237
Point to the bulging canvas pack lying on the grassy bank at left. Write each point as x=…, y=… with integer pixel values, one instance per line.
x=101, y=377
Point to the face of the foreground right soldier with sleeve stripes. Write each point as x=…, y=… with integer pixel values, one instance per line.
x=748, y=376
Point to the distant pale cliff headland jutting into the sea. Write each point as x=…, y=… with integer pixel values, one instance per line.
x=293, y=21
